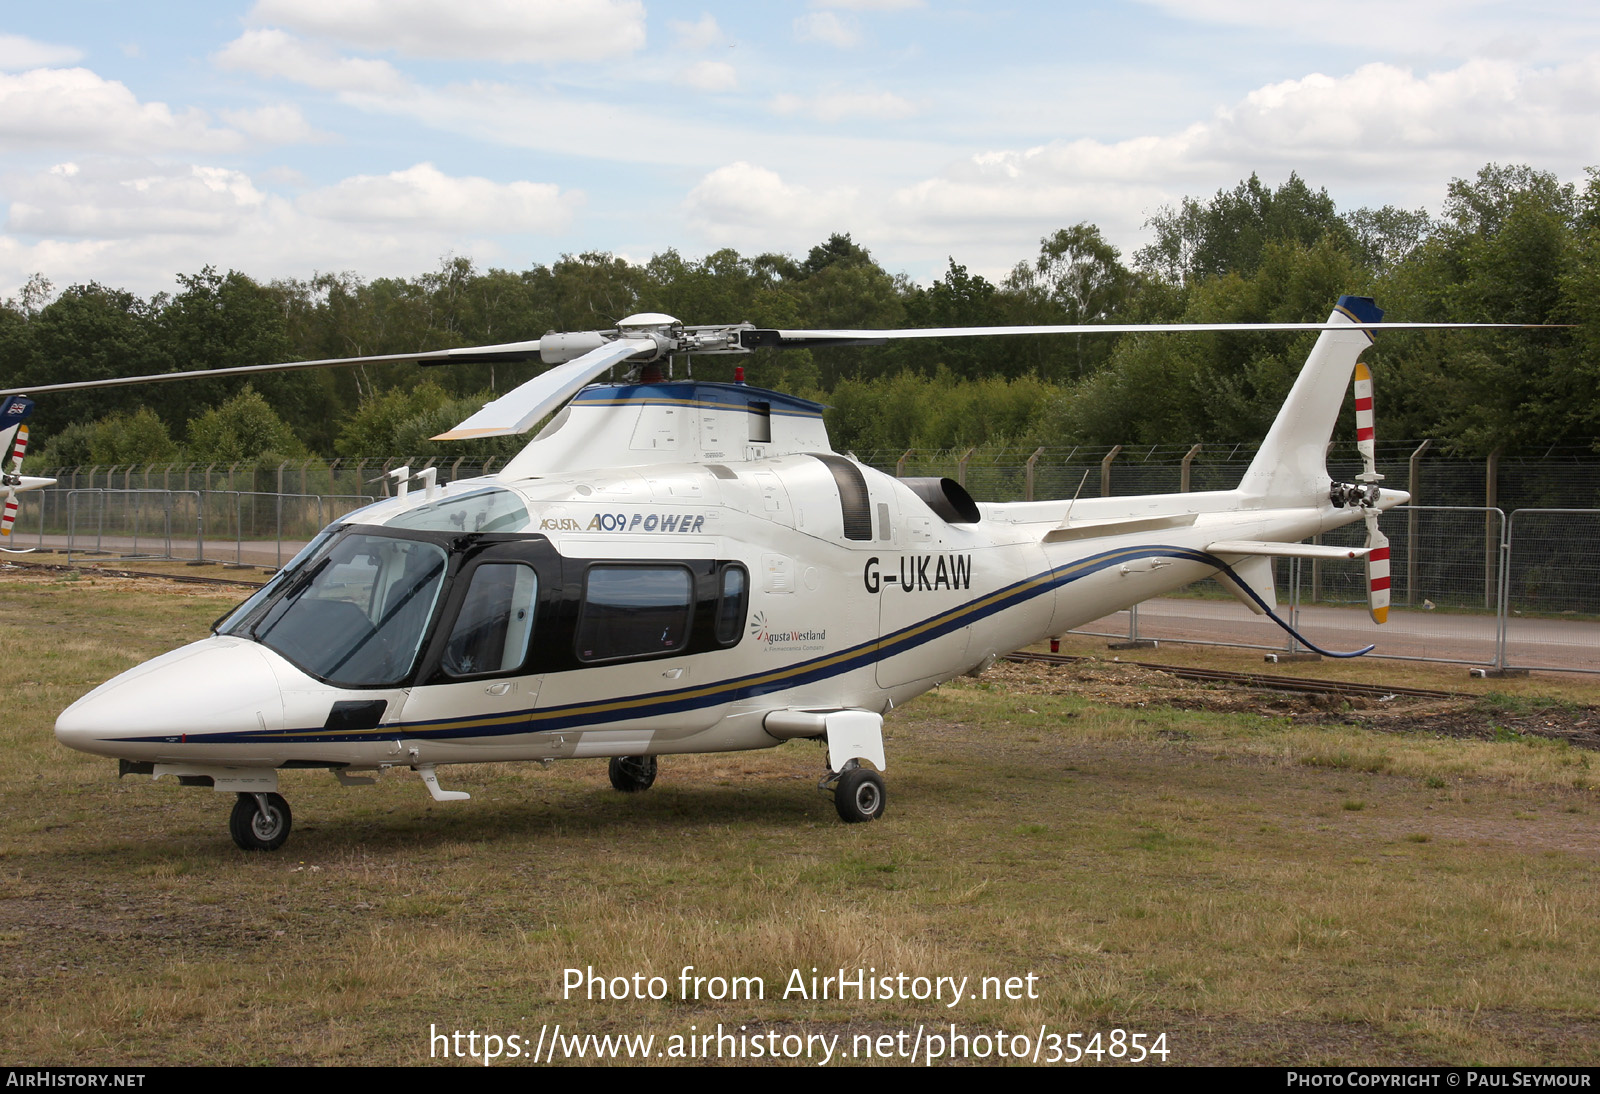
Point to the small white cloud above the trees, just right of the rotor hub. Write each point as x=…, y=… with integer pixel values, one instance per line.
x=753, y=209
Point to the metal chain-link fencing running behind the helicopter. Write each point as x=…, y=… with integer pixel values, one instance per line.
x=1470, y=586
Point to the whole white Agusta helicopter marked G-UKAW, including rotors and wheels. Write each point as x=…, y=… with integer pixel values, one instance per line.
x=690, y=567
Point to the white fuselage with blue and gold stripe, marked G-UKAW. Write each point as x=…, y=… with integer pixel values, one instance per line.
x=646, y=612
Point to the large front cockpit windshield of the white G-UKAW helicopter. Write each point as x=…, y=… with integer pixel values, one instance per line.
x=358, y=615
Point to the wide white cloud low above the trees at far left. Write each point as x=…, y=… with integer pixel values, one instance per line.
x=135, y=223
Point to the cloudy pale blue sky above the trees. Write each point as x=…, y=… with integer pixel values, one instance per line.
x=290, y=137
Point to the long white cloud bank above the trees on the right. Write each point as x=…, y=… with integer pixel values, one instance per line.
x=1377, y=135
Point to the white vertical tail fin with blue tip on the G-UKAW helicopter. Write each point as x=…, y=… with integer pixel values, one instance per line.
x=1294, y=460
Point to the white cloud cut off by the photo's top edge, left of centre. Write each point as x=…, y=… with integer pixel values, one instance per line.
x=538, y=31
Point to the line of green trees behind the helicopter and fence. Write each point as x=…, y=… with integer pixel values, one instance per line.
x=1513, y=244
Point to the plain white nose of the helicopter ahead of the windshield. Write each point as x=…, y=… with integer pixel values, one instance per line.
x=214, y=687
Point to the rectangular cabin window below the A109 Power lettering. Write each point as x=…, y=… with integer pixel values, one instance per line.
x=634, y=612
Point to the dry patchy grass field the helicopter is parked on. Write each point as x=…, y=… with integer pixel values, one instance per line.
x=1260, y=888
